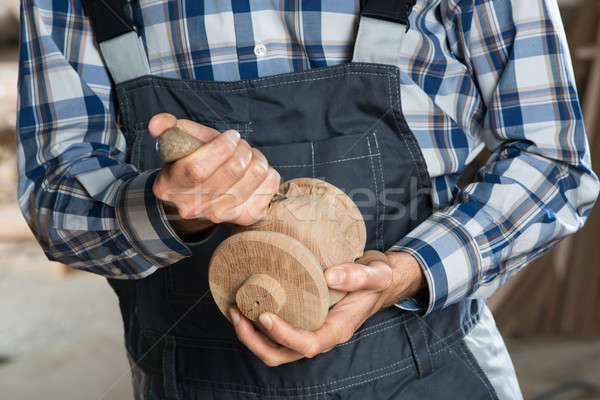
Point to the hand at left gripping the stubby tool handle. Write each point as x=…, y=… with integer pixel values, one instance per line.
x=225, y=180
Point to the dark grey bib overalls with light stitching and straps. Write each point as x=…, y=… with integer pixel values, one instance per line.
x=343, y=124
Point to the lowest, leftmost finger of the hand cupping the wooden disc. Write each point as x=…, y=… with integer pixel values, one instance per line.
x=270, y=353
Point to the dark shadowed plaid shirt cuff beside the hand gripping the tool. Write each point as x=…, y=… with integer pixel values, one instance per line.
x=142, y=220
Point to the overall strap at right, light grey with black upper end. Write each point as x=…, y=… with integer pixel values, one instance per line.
x=383, y=26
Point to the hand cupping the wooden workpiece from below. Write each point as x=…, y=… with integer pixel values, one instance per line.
x=374, y=281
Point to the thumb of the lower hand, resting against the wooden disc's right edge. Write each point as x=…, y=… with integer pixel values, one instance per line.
x=351, y=277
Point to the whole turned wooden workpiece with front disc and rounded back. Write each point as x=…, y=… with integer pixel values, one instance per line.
x=277, y=264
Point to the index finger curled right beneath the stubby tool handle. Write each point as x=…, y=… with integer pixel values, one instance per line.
x=201, y=164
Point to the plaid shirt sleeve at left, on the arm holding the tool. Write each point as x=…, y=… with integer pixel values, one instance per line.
x=86, y=206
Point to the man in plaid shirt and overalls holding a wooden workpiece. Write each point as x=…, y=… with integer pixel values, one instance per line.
x=390, y=106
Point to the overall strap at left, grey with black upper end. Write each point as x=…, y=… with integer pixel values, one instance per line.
x=117, y=38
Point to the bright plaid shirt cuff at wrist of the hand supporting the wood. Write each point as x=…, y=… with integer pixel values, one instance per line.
x=449, y=257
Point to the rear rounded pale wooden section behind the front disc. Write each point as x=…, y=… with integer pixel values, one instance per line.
x=320, y=216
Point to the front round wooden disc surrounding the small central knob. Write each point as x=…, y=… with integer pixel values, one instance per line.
x=280, y=257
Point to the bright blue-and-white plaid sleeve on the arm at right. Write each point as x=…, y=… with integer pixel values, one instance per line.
x=538, y=186
